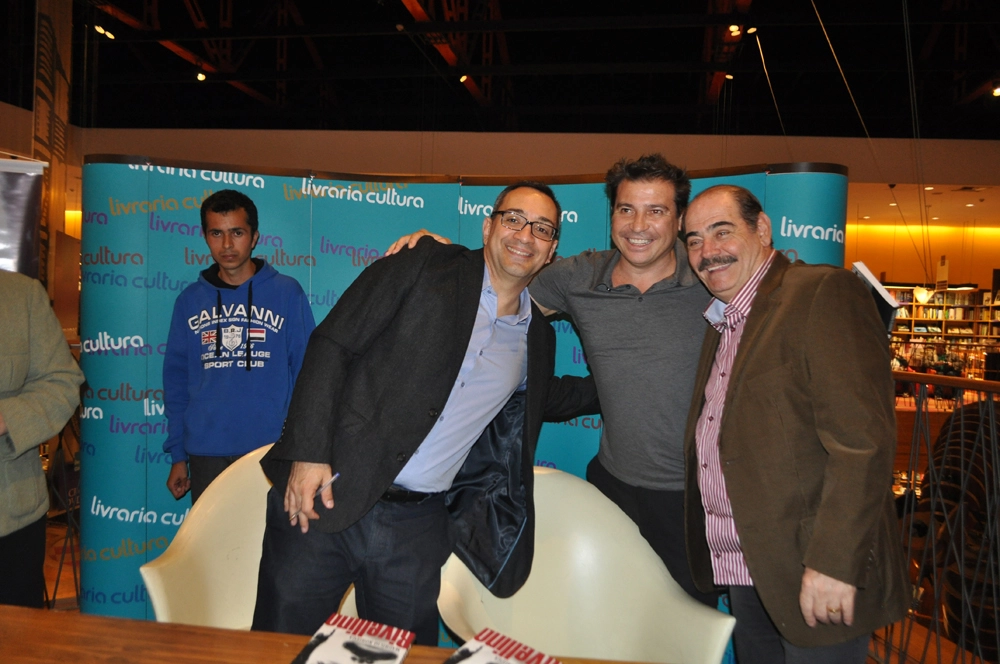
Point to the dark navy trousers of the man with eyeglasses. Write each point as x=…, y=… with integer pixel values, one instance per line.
x=393, y=556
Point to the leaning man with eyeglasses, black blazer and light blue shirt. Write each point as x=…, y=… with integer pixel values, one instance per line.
x=424, y=389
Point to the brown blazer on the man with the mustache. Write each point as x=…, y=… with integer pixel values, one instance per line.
x=807, y=441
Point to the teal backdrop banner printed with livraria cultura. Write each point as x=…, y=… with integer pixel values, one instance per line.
x=142, y=244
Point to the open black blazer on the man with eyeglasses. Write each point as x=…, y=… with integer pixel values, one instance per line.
x=378, y=371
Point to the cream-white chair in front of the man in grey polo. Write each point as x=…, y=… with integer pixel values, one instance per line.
x=596, y=589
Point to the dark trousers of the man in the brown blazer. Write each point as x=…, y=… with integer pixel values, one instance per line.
x=757, y=641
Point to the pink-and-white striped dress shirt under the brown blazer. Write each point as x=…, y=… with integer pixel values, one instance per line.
x=729, y=567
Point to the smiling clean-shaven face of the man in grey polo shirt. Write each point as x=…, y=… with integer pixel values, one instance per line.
x=644, y=225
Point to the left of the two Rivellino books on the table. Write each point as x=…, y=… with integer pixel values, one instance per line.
x=346, y=639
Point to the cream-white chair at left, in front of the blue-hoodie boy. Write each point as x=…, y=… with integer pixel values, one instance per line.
x=208, y=574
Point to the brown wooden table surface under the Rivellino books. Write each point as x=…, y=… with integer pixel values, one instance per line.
x=37, y=635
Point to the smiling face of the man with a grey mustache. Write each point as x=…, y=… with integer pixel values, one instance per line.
x=722, y=247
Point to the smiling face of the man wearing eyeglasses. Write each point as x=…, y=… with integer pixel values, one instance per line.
x=517, y=256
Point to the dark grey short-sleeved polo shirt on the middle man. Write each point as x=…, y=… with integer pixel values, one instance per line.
x=643, y=350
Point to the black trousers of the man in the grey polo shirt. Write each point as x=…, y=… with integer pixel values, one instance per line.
x=660, y=517
